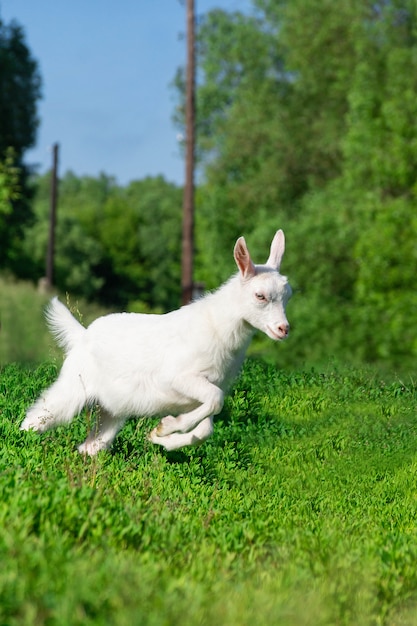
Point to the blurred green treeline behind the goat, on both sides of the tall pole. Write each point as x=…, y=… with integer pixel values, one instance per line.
x=307, y=120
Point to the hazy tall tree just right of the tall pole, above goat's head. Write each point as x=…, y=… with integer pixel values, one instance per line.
x=272, y=101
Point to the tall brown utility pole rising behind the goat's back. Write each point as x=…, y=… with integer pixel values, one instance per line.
x=188, y=207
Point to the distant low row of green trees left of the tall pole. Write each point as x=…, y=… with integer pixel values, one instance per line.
x=115, y=245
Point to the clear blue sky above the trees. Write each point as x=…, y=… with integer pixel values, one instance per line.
x=107, y=68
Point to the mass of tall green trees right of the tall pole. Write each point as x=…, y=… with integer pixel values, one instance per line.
x=318, y=137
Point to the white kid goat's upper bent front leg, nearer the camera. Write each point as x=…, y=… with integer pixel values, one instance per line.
x=198, y=389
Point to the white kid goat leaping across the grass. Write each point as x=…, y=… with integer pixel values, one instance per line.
x=180, y=363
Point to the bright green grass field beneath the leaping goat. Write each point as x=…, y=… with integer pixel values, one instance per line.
x=301, y=510
